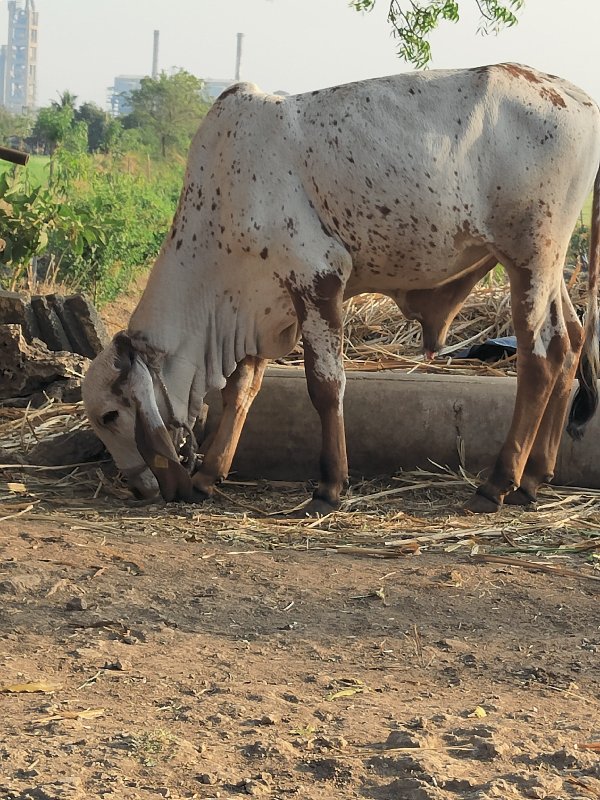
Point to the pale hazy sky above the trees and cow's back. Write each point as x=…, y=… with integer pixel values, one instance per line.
x=294, y=45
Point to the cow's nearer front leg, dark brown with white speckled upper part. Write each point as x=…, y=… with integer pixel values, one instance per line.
x=322, y=334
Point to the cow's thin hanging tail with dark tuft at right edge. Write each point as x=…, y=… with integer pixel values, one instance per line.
x=585, y=401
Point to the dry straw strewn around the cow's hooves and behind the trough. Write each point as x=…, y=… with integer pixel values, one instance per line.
x=393, y=518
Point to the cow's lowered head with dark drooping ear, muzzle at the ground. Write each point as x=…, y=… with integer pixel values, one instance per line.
x=120, y=401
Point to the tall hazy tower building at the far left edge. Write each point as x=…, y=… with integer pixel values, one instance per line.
x=18, y=58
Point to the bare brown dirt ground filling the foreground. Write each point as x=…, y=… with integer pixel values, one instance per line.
x=187, y=652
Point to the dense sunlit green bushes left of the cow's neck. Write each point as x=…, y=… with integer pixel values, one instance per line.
x=96, y=222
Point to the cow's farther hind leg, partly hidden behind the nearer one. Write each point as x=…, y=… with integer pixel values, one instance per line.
x=540, y=464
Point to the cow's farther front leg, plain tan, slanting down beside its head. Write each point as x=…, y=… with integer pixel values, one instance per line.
x=239, y=392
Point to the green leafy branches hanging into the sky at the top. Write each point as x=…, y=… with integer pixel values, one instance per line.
x=414, y=20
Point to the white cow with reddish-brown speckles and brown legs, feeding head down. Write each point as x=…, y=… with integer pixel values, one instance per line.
x=413, y=186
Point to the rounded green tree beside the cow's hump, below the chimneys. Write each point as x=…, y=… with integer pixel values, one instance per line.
x=167, y=109
